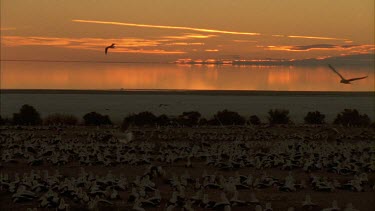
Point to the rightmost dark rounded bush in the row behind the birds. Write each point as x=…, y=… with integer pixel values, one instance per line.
x=351, y=117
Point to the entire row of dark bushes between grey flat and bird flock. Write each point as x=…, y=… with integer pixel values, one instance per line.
x=28, y=115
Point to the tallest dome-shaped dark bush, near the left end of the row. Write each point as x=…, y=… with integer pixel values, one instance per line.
x=27, y=116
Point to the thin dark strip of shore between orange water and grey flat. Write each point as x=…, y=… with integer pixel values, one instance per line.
x=188, y=92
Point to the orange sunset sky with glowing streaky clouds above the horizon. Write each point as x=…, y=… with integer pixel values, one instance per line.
x=166, y=30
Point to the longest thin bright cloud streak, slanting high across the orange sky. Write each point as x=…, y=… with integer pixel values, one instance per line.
x=167, y=27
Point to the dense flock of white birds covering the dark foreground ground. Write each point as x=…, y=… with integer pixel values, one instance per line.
x=192, y=169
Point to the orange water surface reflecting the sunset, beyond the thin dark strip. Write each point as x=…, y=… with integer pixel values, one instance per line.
x=34, y=75
